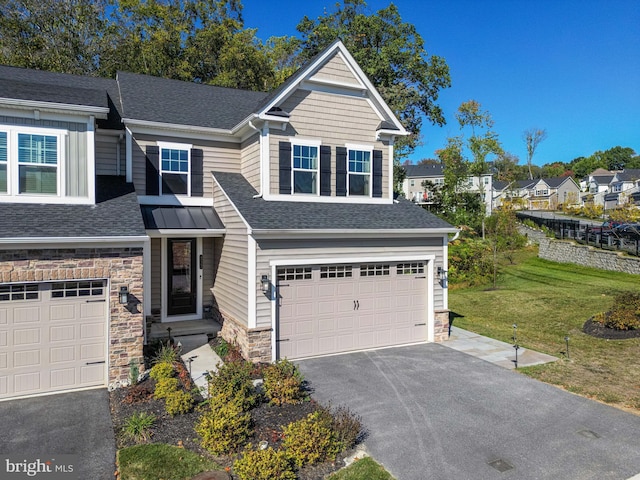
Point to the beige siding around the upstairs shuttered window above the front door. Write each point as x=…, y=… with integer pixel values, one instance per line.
x=218, y=156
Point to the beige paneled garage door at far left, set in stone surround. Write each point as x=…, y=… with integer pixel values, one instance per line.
x=52, y=337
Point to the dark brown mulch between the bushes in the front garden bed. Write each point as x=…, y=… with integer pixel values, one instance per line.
x=179, y=430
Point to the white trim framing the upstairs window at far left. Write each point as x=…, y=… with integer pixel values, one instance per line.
x=13, y=164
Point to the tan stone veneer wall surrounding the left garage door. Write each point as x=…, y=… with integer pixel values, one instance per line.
x=122, y=266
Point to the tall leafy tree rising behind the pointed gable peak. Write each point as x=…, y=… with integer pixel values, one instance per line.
x=392, y=54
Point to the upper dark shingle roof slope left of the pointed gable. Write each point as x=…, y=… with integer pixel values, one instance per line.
x=184, y=103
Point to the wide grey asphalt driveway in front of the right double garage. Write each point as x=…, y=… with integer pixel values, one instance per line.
x=434, y=413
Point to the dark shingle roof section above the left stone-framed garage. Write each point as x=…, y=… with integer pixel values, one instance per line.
x=115, y=214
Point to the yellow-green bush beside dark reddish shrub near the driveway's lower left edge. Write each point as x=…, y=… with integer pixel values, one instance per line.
x=311, y=440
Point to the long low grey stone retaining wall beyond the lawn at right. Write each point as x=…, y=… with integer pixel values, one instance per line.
x=564, y=251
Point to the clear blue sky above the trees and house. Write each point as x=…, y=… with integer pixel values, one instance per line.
x=571, y=67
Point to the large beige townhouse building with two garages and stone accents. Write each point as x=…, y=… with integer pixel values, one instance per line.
x=273, y=211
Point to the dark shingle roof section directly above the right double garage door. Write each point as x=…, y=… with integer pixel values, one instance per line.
x=279, y=215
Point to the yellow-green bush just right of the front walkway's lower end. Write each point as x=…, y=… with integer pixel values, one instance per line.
x=233, y=380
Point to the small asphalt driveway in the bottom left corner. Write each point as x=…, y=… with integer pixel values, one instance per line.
x=76, y=424
